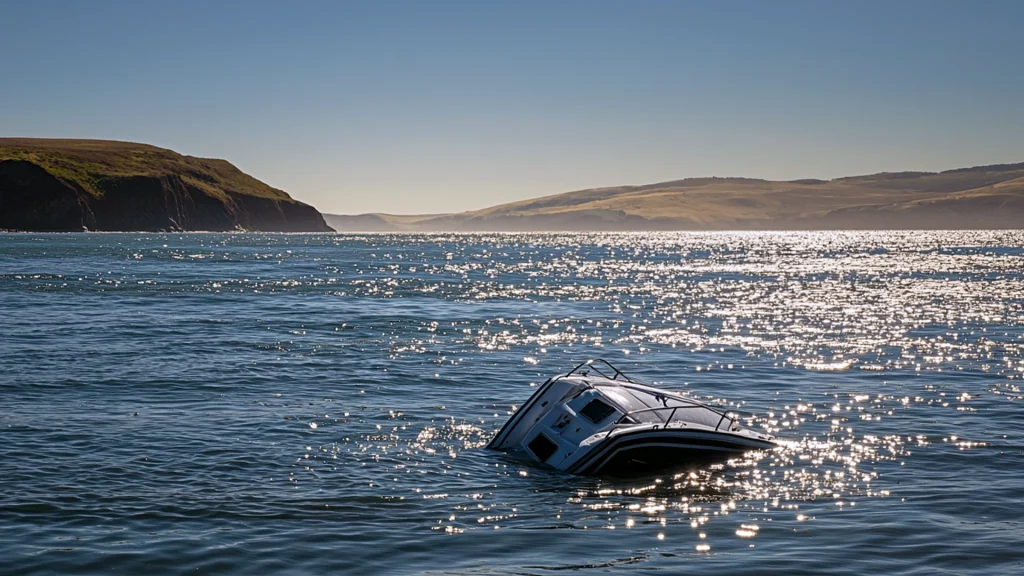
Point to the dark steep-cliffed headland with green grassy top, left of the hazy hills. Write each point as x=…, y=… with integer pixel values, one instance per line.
x=64, y=185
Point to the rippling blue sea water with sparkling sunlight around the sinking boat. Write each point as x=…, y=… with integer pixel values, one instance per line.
x=314, y=404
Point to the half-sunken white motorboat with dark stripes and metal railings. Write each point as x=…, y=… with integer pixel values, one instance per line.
x=595, y=421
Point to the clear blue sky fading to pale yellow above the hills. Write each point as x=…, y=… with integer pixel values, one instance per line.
x=433, y=106
